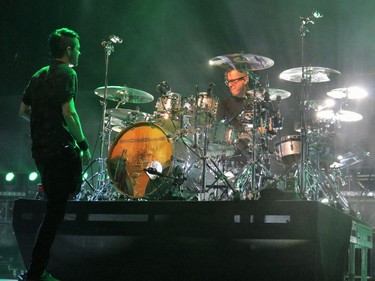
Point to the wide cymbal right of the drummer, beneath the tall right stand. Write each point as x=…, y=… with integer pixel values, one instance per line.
x=317, y=74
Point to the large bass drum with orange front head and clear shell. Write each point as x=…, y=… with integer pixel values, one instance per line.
x=143, y=146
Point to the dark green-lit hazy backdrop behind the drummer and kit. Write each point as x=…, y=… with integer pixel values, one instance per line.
x=173, y=40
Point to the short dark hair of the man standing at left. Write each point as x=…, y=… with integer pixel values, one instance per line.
x=59, y=40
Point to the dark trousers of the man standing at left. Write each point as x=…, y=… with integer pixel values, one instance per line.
x=61, y=175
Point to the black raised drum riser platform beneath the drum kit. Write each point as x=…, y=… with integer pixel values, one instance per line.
x=178, y=240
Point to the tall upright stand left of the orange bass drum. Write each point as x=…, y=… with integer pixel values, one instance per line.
x=103, y=184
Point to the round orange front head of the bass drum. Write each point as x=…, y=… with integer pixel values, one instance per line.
x=134, y=149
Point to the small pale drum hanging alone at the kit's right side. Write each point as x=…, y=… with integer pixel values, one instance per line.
x=288, y=150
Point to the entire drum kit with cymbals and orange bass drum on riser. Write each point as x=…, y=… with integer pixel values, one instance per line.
x=182, y=152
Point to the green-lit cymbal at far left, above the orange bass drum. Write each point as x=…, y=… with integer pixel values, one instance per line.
x=125, y=94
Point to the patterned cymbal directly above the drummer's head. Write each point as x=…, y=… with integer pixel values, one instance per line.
x=249, y=61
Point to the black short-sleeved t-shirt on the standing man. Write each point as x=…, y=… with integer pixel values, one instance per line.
x=48, y=89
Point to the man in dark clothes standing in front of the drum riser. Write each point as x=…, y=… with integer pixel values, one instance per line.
x=59, y=145
